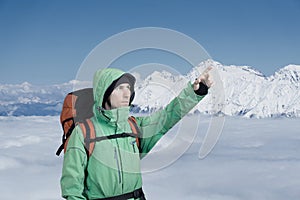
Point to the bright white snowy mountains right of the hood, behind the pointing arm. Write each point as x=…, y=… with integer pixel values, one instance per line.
x=246, y=91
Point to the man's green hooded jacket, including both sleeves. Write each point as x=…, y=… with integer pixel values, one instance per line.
x=114, y=166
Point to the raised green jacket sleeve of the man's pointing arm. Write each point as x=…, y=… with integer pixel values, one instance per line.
x=153, y=127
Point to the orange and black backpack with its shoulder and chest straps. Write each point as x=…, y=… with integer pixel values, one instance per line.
x=78, y=109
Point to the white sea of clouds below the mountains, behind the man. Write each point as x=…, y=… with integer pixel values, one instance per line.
x=253, y=159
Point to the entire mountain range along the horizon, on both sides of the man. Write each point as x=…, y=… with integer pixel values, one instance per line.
x=238, y=90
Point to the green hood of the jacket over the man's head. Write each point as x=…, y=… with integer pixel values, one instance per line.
x=102, y=80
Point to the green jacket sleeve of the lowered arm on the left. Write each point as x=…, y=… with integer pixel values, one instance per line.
x=74, y=165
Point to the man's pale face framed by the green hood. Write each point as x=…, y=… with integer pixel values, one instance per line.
x=119, y=97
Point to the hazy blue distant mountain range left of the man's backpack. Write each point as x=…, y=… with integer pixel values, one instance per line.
x=27, y=99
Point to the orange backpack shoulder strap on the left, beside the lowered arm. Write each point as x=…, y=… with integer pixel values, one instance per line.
x=89, y=134
